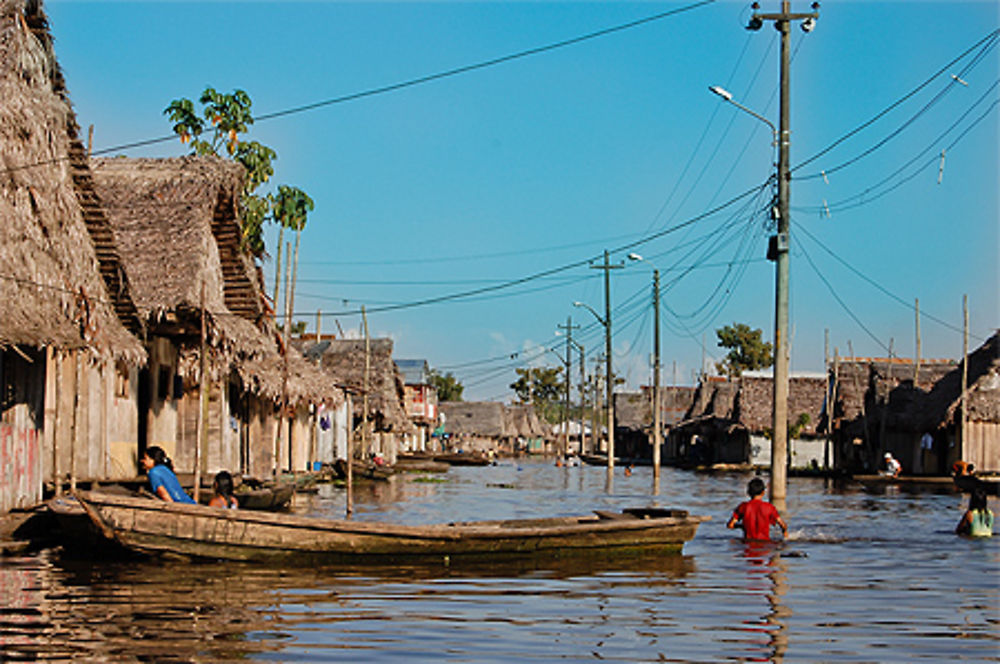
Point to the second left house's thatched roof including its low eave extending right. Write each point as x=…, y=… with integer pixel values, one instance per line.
x=177, y=223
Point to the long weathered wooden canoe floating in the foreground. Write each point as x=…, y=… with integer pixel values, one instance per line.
x=154, y=527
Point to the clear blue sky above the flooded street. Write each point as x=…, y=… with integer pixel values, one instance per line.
x=542, y=162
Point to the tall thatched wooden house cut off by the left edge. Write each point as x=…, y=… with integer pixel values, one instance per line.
x=66, y=355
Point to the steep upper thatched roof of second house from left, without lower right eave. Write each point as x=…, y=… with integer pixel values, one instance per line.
x=176, y=223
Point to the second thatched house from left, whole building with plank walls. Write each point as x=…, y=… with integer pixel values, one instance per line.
x=177, y=226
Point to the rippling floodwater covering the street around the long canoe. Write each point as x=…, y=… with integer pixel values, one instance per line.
x=864, y=577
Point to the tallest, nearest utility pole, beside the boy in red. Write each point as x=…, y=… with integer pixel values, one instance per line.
x=779, y=421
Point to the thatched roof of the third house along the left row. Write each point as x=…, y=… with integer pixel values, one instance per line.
x=344, y=361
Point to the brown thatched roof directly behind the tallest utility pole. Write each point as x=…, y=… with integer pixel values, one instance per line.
x=806, y=395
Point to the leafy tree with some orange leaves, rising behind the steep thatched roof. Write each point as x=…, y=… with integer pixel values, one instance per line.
x=217, y=131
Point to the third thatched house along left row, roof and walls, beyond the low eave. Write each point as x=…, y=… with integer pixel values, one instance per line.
x=365, y=369
